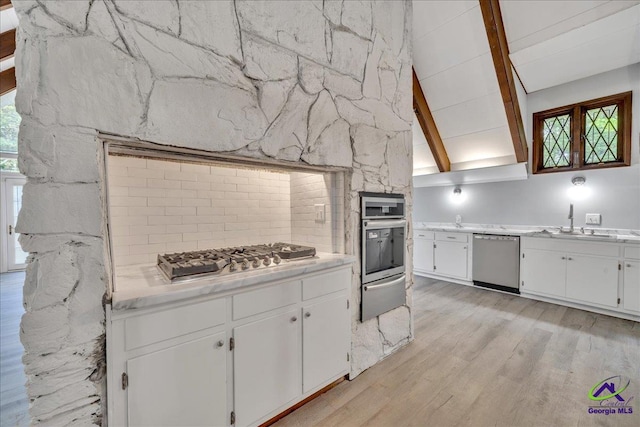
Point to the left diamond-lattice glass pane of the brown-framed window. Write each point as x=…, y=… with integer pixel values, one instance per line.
x=556, y=141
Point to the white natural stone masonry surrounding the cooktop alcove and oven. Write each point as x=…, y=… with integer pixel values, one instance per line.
x=318, y=82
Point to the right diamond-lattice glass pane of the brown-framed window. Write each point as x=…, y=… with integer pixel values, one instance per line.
x=601, y=135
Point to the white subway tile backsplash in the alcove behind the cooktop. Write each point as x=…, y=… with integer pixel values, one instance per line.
x=159, y=206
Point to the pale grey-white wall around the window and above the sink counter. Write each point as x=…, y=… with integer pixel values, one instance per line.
x=543, y=199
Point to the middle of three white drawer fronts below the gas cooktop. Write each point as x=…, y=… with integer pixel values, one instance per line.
x=265, y=299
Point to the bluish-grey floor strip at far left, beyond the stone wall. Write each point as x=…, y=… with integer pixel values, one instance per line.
x=14, y=405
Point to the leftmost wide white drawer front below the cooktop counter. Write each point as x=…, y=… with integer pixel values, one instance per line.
x=163, y=325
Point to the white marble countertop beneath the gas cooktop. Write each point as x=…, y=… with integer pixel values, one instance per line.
x=143, y=286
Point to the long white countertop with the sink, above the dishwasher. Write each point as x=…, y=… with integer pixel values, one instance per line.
x=599, y=234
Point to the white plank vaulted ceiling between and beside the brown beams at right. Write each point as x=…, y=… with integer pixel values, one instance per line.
x=549, y=43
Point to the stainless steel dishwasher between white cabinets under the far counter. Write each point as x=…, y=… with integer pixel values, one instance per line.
x=496, y=262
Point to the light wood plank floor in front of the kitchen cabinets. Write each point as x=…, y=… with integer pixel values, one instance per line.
x=483, y=358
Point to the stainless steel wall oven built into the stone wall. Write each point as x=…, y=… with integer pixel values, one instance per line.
x=383, y=253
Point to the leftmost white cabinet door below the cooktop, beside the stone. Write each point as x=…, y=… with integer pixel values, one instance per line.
x=181, y=385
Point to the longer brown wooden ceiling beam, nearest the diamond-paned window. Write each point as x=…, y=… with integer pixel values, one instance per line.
x=494, y=26
